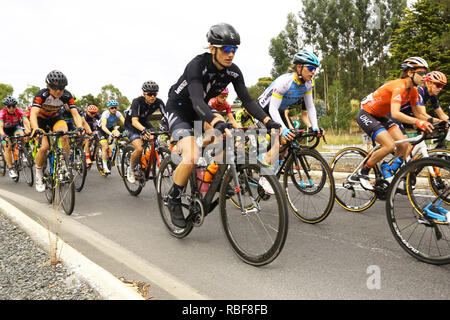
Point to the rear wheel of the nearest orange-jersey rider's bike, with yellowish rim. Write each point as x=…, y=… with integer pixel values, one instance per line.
x=349, y=193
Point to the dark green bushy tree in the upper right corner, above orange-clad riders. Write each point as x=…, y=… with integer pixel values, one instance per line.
x=425, y=32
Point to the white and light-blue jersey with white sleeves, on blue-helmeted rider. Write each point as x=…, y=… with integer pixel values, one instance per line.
x=286, y=91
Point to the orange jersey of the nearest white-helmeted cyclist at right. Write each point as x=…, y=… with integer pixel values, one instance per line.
x=379, y=102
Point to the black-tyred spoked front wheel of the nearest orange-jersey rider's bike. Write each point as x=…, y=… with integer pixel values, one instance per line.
x=415, y=233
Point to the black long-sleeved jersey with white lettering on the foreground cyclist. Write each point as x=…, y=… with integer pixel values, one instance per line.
x=200, y=82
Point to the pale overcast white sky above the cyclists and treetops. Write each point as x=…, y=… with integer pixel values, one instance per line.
x=125, y=43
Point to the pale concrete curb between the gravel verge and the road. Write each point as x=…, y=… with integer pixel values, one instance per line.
x=109, y=287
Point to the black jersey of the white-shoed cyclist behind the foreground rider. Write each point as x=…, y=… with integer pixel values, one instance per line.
x=140, y=109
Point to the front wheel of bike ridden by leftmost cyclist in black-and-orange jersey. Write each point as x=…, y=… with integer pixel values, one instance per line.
x=64, y=184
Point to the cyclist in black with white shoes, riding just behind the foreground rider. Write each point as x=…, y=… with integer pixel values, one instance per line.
x=137, y=125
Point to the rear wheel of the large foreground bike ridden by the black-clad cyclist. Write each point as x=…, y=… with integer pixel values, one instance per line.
x=164, y=182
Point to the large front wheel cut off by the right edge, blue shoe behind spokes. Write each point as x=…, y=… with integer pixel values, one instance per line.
x=418, y=220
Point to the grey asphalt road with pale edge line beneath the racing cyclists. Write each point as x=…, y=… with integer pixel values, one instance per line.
x=347, y=256
